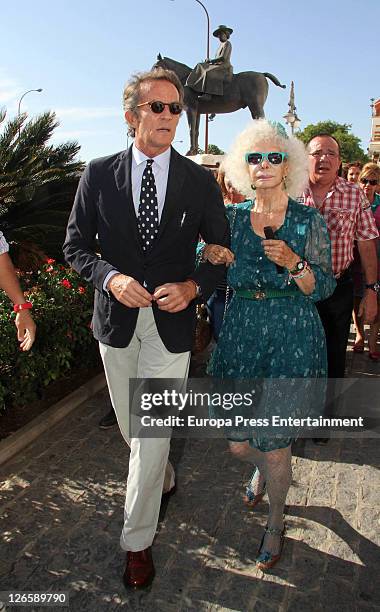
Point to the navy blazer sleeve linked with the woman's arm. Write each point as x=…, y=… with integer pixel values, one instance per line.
x=214, y=229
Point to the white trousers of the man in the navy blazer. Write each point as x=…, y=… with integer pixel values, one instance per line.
x=144, y=357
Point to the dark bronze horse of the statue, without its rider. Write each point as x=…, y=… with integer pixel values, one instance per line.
x=246, y=89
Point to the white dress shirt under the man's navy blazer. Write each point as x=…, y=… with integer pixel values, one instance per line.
x=160, y=169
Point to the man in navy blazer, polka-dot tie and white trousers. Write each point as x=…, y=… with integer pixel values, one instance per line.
x=145, y=290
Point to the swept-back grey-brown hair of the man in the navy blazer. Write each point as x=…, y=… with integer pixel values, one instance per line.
x=132, y=90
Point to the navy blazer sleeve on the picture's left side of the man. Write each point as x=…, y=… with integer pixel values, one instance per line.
x=79, y=246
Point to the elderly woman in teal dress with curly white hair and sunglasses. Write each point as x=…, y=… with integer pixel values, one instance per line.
x=271, y=329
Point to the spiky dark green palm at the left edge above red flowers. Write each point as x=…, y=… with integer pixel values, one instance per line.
x=37, y=185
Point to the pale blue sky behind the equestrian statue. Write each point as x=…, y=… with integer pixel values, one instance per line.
x=81, y=53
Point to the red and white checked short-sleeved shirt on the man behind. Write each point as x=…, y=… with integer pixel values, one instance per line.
x=348, y=217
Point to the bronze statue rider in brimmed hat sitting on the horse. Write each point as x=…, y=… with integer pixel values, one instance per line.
x=208, y=77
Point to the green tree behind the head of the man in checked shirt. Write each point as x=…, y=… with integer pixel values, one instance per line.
x=350, y=147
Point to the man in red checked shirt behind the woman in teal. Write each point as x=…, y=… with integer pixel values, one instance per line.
x=348, y=216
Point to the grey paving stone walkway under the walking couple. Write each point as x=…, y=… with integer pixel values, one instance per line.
x=61, y=511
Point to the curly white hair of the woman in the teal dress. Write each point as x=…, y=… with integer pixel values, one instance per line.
x=258, y=131
